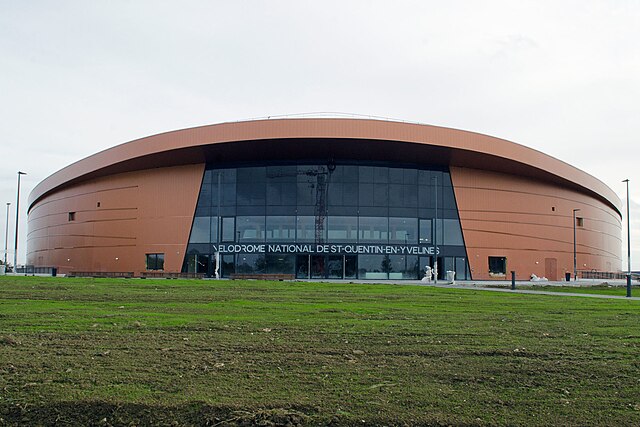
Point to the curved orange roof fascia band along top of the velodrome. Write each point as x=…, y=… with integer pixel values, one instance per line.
x=465, y=142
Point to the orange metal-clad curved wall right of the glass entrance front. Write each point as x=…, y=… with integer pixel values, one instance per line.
x=531, y=224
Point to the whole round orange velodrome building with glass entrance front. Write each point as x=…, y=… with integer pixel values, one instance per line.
x=316, y=198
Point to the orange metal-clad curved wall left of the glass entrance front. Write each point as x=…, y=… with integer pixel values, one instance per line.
x=117, y=220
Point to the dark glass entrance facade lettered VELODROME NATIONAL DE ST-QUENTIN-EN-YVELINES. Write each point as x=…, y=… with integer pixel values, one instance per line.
x=338, y=221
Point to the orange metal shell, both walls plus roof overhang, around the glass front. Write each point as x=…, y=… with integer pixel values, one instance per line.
x=504, y=192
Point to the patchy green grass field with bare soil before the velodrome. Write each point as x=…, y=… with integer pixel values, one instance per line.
x=163, y=352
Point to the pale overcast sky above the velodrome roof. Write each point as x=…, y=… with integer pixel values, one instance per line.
x=77, y=77
